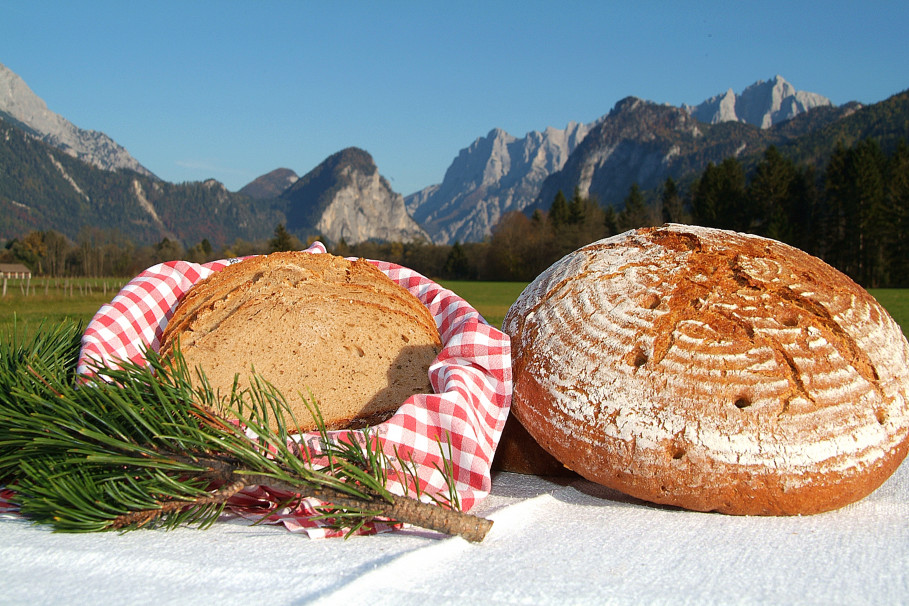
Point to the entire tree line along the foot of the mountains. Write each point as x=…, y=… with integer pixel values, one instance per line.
x=852, y=212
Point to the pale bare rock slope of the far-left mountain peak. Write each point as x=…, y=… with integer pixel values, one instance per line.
x=18, y=102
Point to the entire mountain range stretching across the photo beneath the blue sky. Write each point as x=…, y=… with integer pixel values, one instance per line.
x=57, y=176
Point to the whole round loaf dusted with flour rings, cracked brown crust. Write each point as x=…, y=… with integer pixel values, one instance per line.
x=713, y=371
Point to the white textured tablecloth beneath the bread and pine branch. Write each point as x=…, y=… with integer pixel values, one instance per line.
x=553, y=542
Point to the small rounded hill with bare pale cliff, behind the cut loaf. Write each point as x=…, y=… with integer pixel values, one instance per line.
x=345, y=197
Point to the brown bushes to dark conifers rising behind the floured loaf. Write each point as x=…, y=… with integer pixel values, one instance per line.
x=853, y=212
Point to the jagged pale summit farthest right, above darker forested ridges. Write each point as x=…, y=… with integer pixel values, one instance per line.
x=762, y=104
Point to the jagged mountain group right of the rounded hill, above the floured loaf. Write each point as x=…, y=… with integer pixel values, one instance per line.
x=635, y=142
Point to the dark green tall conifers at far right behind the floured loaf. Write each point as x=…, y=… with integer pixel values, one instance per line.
x=853, y=212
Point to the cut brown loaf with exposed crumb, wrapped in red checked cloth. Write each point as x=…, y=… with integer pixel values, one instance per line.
x=305, y=322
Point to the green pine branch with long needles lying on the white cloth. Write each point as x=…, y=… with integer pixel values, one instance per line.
x=140, y=447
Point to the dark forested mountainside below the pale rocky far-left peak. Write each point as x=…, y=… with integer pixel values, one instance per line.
x=42, y=187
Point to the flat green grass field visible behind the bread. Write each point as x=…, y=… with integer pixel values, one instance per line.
x=79, y=299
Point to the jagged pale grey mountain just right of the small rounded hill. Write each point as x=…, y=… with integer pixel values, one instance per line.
x=496, y=174
